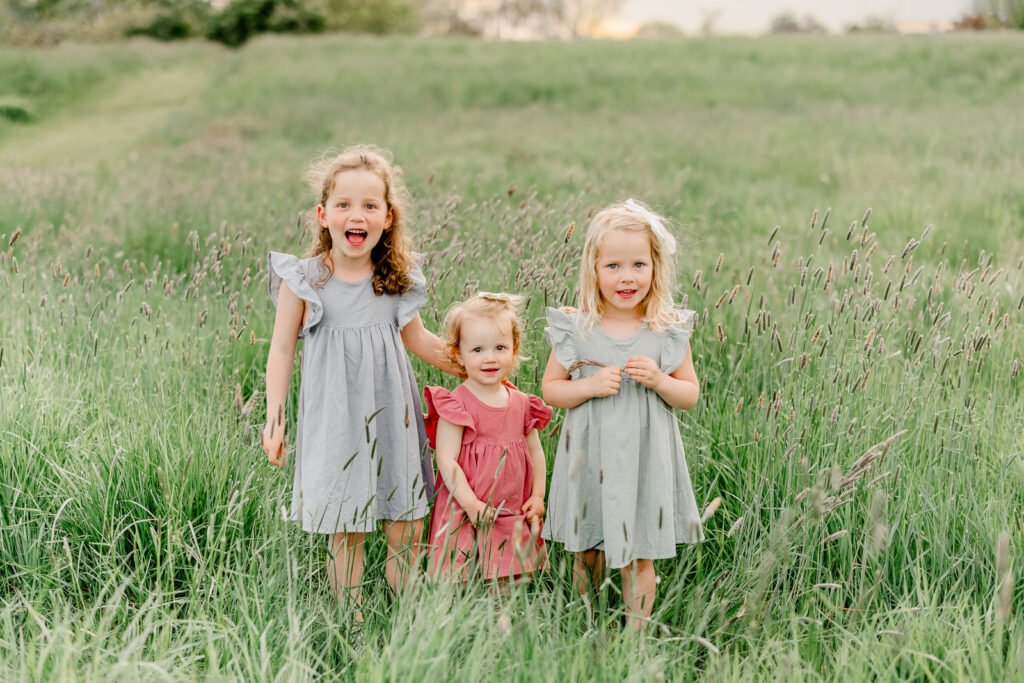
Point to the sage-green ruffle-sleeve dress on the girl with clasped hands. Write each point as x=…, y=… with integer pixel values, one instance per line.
x=620, y=482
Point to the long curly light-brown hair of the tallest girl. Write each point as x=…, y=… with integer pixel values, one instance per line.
x=393, y=257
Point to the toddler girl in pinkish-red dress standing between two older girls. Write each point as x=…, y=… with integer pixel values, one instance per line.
x=491, y=467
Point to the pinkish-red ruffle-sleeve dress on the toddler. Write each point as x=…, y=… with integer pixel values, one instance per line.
x=496, y=460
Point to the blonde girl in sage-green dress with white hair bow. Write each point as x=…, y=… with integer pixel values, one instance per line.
x=621, y=365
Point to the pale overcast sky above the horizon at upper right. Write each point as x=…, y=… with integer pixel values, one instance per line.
x=756, y=16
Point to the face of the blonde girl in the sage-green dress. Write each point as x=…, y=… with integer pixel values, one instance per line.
x=625, y=270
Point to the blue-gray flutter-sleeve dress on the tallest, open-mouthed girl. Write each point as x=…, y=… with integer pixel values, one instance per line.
x=361, y=447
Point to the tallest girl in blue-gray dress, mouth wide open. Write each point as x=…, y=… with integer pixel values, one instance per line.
x=361, y=446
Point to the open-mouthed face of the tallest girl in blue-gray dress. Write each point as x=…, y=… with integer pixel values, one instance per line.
x=357, y=215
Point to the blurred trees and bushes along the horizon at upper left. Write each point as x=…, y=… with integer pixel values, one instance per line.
x=235, y=22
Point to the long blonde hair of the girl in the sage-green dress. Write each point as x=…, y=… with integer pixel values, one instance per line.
x=657, y=310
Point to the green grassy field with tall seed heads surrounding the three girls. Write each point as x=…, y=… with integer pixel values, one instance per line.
x=863, y=407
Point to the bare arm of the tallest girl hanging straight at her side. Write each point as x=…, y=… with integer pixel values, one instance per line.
x=287, y=325
